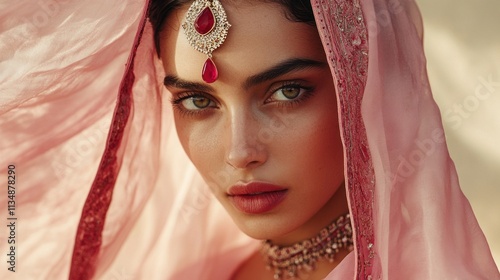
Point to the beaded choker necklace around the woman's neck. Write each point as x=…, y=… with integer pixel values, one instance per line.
x=288, y=262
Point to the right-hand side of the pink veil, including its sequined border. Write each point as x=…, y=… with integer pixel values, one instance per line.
x=419, y=224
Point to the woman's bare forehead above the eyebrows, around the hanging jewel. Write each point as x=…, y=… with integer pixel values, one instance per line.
x=260, y=36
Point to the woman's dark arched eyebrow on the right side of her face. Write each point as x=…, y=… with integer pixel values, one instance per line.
x=282, y=68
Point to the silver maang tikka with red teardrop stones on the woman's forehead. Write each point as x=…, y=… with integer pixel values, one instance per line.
x=206, y=28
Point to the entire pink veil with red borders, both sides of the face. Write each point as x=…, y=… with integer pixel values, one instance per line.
x=82, y=117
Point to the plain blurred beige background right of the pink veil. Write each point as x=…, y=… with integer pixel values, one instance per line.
x=462, y=43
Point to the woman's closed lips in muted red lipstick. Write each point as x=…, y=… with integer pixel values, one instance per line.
x=256, y=197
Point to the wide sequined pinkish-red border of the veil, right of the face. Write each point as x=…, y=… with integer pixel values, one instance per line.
x=345, y=39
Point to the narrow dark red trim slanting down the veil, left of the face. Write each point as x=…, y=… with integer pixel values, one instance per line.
x=89, y=234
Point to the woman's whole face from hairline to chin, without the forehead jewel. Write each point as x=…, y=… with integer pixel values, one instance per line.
x=265, y=135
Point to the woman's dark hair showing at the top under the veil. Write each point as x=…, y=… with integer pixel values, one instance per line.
x=296, y=10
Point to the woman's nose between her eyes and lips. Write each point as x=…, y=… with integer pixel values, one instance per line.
x=245, y=150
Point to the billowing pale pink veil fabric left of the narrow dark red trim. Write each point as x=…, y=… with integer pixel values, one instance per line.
x=60, y=66
